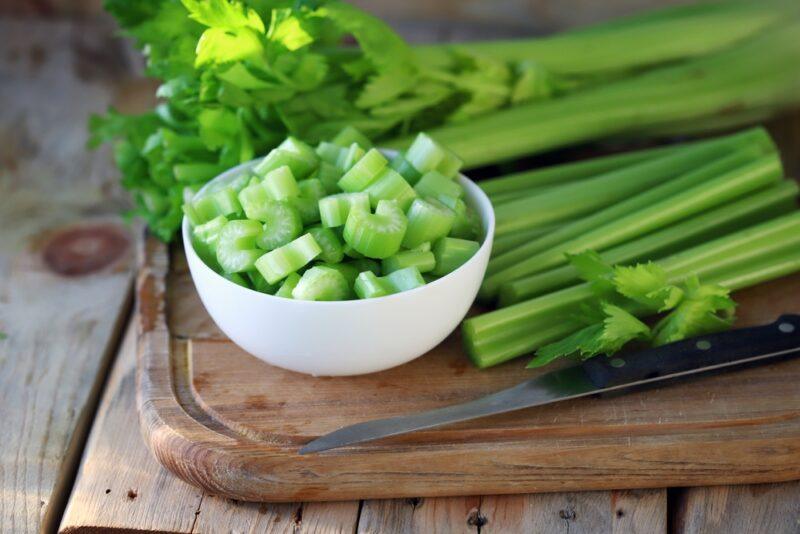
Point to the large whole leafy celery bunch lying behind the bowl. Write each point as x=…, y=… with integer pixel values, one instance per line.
x=238, y=77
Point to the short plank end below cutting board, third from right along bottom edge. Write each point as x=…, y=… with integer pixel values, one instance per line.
x=444, y=514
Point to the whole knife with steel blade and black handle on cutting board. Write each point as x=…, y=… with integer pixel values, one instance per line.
x=713, y=352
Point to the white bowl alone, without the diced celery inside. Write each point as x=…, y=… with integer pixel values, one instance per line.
x=344, y=337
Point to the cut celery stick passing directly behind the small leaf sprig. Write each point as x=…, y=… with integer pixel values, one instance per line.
x=771, y=202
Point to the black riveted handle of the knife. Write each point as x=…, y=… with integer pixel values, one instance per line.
x=696, y=353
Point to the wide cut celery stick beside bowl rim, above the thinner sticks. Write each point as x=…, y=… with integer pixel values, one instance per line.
x=570, y=200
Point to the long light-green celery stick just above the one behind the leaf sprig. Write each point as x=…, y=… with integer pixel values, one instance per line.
x=756, y=175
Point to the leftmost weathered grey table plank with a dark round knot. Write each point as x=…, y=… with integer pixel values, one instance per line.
x=65, y=258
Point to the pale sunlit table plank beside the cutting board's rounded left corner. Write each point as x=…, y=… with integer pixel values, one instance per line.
x=119, y=484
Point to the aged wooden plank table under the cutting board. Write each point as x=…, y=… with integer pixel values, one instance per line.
x=72, y=457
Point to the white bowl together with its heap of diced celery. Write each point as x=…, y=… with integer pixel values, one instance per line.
x=312, y=258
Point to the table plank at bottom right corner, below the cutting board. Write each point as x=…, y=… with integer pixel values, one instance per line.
x=754, y=509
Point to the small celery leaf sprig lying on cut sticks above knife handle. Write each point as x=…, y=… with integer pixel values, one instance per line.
x=687, y=309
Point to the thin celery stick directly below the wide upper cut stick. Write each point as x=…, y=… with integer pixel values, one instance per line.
x=702, y=173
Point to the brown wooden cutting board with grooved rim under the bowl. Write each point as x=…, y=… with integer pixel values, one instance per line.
x=231, y=424
